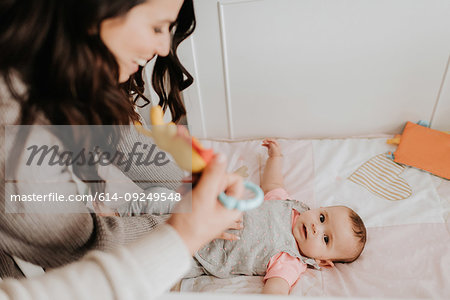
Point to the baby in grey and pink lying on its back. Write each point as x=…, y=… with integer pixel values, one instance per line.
x=282, y=237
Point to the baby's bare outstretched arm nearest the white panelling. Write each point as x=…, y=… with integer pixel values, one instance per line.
x=272, y=177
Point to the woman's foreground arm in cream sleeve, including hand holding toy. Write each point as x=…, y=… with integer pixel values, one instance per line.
x=149, y=266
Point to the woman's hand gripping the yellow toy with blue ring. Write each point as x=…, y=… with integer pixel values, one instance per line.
x=207, y=218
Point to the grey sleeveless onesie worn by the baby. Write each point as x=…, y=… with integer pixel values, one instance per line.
x=267, y=231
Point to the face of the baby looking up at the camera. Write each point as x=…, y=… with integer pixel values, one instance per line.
x=326, y=234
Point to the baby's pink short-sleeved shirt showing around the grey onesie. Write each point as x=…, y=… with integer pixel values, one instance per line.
x=282, y=264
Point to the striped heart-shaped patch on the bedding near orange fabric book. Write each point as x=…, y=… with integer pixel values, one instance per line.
x=380, y=176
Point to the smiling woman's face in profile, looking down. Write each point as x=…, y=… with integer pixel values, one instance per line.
x=142, y=33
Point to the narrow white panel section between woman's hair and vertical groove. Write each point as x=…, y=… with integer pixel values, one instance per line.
x=202, y=55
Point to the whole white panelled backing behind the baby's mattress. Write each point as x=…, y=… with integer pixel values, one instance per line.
x=317, y=68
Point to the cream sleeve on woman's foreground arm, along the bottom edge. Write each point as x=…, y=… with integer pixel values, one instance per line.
x=143, y=269
